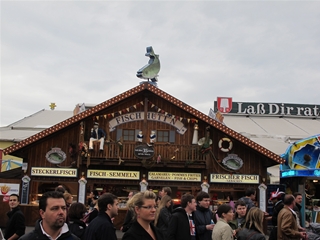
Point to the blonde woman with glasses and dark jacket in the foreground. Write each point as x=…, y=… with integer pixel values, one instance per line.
x=143, y=205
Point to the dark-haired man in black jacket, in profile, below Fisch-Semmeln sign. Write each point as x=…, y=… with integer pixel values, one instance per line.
x=102, y=227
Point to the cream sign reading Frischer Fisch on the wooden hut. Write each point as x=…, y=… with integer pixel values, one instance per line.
x=234, y=178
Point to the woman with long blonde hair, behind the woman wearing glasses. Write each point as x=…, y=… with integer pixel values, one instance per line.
x=163, y=214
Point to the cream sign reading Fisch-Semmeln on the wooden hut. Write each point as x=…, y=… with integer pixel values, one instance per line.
x=113, y=174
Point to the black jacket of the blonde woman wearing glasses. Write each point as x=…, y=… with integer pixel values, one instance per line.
x=137, y=232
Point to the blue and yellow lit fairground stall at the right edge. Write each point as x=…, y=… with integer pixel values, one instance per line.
x=301, y=173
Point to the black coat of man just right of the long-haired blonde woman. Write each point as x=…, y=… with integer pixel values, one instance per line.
x=179, y=228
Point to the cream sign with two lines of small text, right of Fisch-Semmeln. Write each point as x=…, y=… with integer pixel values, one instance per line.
x=174, y=176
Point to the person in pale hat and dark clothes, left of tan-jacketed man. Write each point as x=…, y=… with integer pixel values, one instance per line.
x=276, y=199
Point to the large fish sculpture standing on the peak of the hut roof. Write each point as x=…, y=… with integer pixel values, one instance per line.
x=151, y=70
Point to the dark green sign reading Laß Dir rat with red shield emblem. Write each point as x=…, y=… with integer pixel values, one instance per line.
x=270, y=109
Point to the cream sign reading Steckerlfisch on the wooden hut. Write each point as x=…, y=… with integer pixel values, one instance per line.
x=54, y=172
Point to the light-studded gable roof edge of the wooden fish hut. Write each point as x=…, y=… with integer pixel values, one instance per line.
x=142, y=87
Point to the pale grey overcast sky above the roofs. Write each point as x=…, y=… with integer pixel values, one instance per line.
x=70, y=52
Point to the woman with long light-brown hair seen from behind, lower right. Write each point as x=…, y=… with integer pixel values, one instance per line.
x=253, y=229
